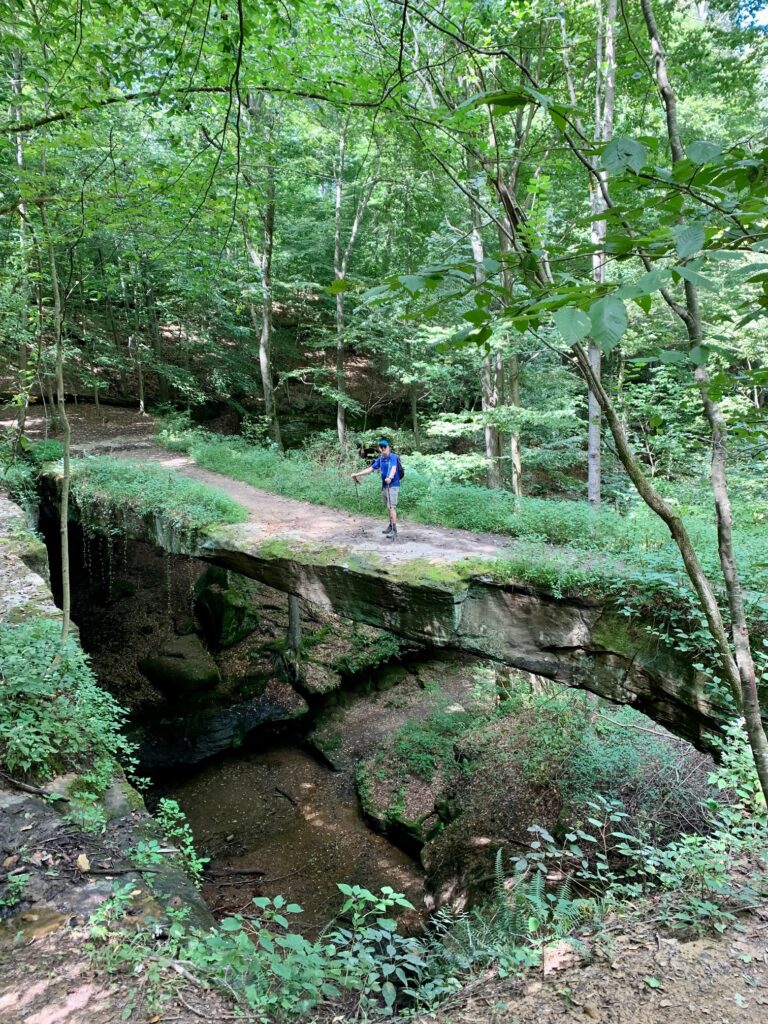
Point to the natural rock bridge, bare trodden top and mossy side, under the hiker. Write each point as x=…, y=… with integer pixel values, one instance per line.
x=431, y=588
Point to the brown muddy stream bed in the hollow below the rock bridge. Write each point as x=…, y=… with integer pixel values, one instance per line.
x=282, y=813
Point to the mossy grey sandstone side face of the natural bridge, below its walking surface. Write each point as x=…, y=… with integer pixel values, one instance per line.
x=576, y=642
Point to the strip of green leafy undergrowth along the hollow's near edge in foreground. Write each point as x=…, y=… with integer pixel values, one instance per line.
x=363, y=967
